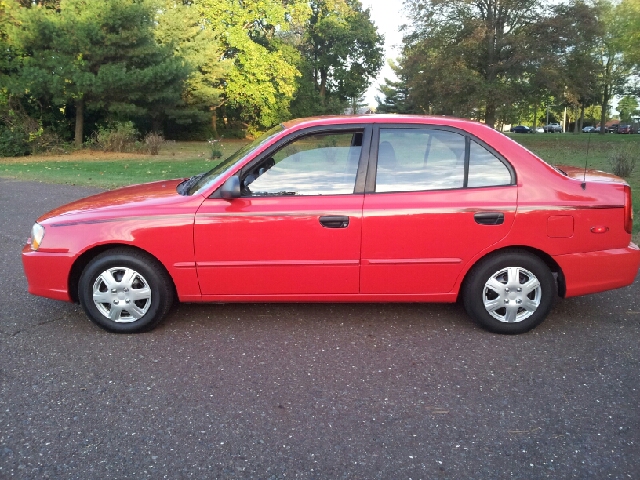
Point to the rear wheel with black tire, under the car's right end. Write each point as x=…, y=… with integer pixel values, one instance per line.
x=512, y=312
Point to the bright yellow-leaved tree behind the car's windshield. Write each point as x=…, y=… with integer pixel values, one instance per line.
x=262, y=82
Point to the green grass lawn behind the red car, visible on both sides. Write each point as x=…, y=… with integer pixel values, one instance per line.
x=183, y=159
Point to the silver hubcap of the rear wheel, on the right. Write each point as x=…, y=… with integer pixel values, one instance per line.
x=512, y=295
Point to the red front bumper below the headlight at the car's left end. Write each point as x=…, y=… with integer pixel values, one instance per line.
x=47, y=273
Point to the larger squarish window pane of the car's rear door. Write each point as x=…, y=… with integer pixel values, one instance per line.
x=419, y=159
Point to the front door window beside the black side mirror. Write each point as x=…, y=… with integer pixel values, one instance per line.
x=320, y=164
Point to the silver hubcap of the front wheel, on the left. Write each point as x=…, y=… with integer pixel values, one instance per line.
x=121, y=294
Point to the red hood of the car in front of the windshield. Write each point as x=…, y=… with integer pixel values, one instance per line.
x=132, y=198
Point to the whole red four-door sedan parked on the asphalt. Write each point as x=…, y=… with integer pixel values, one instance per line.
x=346, y=209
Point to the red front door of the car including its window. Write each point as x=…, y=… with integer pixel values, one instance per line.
x=296, y=230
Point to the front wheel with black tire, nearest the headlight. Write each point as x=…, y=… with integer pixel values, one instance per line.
x=136, y=303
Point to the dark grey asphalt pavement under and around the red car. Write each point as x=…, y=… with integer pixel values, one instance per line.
x=310, y=391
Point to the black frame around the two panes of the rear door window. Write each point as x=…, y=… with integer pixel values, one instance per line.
x=372, y=171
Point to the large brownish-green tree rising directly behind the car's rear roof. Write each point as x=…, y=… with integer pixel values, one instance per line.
x=467, y=57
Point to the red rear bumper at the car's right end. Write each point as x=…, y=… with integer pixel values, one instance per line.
x=595, y=272
